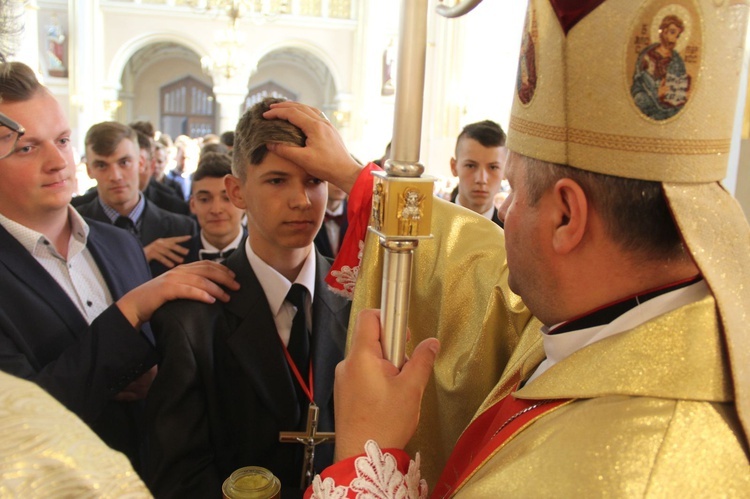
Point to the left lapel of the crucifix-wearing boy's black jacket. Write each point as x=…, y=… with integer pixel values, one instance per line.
x=256, y=345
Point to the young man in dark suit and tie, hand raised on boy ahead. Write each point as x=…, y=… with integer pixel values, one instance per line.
x=113, y=159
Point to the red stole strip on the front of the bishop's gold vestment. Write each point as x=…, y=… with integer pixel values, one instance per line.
x=485, y=435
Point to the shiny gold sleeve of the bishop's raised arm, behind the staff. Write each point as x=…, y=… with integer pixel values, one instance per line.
x=459, y=295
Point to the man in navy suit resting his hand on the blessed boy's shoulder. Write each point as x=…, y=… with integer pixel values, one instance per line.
x=75, y=293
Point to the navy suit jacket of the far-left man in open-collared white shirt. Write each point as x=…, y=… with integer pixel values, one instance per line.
x=45, y=339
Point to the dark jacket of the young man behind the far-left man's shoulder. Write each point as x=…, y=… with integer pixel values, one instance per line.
x=155, y=224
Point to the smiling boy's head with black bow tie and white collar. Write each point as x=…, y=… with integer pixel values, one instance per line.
x=220, y=220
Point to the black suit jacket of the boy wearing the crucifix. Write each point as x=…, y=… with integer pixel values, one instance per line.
x=224, y=390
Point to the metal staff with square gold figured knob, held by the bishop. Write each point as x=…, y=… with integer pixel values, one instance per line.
x=402, y=199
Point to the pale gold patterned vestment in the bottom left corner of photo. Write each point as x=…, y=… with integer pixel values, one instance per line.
x=46, y=451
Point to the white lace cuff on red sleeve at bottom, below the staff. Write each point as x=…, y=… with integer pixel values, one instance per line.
x=378, y=477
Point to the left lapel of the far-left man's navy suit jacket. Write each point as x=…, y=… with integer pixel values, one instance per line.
x=26, y=269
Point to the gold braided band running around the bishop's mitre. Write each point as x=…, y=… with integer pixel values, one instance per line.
x=620, y=142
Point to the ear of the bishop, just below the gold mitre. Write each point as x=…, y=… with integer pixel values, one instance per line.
x=571, y=215
